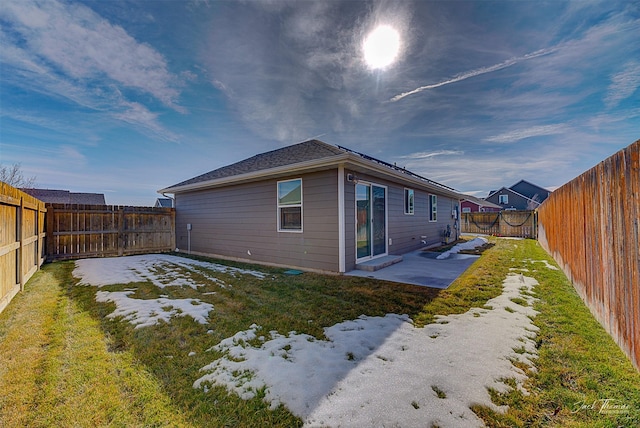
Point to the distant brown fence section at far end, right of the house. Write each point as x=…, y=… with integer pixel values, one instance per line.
x=521, y=224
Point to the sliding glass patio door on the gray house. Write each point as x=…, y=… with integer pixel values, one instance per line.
x=371, y=220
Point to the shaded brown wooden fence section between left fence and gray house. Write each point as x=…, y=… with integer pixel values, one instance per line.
x=80, y=231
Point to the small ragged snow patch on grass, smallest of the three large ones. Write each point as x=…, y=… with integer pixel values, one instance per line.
x=144, y=313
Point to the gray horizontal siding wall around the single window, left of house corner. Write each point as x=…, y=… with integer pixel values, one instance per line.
x=240, y=222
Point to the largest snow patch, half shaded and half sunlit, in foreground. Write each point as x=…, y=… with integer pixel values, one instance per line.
x=379, y=371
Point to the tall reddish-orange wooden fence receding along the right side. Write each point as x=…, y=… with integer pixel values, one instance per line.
x=590, y=227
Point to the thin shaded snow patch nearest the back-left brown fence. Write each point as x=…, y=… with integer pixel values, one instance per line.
x=160, y=269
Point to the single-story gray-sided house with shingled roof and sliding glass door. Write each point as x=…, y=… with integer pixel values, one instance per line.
x=311, y=206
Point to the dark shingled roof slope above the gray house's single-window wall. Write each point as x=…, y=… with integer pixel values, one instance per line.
x=301, y=152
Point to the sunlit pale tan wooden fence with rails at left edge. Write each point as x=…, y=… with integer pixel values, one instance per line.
x=21, y=240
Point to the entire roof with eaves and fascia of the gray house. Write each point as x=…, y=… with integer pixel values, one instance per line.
x=307, y=156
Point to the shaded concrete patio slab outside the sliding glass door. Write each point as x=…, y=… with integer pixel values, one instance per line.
x=422, y=268
